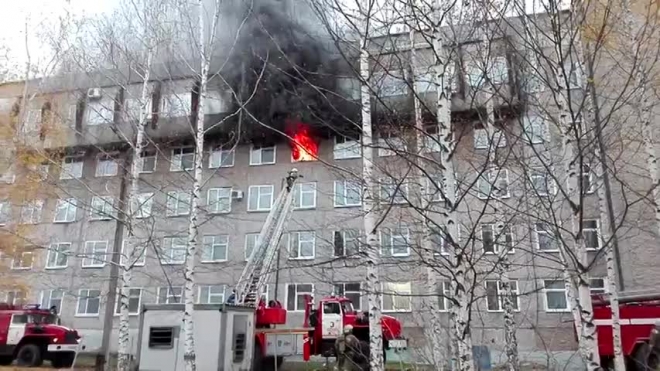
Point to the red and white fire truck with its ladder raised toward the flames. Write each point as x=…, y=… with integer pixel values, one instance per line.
x=322, y=324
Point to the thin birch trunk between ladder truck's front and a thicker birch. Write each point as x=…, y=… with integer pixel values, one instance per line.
x=433, y=333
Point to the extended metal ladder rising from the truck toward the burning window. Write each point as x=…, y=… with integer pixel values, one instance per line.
x=258, y=268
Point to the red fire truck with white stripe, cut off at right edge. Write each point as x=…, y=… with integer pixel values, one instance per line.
x=640, y=326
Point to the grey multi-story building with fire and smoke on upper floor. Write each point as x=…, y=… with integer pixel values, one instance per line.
x=70, y=216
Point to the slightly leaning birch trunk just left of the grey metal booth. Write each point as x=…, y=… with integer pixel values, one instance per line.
x=131, y=253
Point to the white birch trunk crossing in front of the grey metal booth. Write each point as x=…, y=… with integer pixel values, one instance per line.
x=193, y=228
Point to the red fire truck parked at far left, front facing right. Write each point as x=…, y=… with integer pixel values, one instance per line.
x=31, y=335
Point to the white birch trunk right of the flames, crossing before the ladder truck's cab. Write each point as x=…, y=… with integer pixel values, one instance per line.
x=370, y=214
